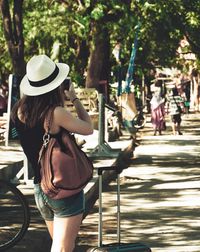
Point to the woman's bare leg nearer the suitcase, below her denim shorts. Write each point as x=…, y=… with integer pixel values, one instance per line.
x=65, y=231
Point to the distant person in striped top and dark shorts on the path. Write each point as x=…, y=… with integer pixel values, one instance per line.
x=175, y=110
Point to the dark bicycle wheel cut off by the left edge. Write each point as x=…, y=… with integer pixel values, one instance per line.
x=14, y=215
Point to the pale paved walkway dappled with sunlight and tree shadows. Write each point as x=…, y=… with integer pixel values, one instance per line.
x=160, y=196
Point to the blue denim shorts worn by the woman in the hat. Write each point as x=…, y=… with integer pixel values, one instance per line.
x=60, y=208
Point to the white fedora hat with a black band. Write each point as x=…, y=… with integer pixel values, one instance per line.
x=42, y=75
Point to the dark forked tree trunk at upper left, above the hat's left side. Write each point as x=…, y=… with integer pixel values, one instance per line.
x=13, y=31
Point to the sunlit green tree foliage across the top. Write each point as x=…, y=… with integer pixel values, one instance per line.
x=65, y=30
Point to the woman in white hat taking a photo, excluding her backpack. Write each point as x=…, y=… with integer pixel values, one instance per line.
x=42, y=90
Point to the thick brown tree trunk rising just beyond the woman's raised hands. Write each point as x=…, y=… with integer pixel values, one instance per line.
x=99, y=66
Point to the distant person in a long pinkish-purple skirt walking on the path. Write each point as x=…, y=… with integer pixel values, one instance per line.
x=158, y=112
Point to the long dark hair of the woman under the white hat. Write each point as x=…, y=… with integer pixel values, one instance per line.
x=34, y=108
